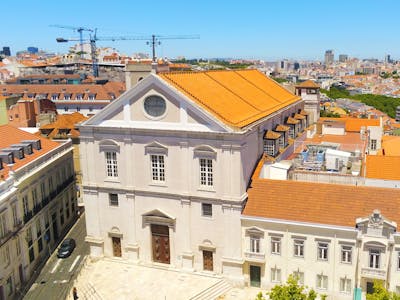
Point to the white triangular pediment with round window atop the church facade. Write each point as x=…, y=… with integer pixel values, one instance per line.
x=155, y=104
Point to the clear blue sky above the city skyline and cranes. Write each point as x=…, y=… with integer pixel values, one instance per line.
x=298, y=29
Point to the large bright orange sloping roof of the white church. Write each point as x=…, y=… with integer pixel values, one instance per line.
x=238, y=98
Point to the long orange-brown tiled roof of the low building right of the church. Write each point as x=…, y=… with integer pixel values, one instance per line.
x=319, y=203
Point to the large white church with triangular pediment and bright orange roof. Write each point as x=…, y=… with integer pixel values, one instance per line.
x=166, y=166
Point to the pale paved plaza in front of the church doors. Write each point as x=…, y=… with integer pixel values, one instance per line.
x=116, y=279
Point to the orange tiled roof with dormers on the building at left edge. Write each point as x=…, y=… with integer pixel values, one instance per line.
x=10, y=135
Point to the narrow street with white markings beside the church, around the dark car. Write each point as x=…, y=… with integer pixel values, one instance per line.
x=54, y=281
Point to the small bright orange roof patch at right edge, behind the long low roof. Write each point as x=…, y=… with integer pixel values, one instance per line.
x=383, y=167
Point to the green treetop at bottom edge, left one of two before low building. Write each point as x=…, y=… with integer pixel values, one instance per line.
x=290, y=291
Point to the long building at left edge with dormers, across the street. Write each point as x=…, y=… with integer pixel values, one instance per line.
x=37, y=204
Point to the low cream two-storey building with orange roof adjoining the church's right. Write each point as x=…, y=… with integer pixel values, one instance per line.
x=336, y=238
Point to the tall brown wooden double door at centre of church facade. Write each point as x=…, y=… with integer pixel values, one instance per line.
x=160, y=243
